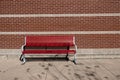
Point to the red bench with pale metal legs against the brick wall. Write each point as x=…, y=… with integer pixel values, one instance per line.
x=49, y=45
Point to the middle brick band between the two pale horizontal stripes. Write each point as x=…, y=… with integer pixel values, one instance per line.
x=60, y=24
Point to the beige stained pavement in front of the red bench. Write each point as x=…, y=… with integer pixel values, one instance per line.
x=91, y=69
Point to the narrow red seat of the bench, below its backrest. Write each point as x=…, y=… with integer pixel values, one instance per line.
x=48, y=51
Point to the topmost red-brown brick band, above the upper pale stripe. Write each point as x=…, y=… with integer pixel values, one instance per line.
x=61, y=6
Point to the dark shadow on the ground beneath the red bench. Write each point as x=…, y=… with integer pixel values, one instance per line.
x=46, y=59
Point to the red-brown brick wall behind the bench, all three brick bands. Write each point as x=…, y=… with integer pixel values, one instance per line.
x=45, y=24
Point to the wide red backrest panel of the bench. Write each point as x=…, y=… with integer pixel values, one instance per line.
x=49, y=41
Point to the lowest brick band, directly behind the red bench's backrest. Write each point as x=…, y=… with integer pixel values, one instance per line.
x=82, y=40
